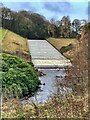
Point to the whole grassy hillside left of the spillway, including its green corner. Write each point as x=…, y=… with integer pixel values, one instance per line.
x=14, y=44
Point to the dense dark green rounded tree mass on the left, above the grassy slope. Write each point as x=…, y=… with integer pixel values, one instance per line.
x=26, y=24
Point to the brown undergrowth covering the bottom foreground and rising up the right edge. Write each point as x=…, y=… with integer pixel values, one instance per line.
x=71, y=106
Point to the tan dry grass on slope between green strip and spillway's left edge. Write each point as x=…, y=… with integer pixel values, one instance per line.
x=13, y=42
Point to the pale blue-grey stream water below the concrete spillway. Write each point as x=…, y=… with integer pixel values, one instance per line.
x=48, y=87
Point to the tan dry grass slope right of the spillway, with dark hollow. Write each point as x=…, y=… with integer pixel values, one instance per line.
x=61, y=42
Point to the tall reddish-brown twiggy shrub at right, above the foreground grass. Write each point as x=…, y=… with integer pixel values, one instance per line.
x=80, y=65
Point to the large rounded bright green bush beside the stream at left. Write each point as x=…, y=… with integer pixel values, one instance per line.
x=18, y=77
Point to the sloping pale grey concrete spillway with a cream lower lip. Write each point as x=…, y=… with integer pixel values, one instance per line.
x=44, y=55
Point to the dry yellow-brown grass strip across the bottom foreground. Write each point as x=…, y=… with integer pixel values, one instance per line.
x=70, y=107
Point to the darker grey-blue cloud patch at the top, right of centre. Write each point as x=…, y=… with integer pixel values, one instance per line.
x=58, y=6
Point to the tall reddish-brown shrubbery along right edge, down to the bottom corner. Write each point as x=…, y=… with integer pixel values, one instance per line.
x=78, y=74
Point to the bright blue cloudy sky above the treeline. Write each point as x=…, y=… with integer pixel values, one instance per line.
x=56, y=9
